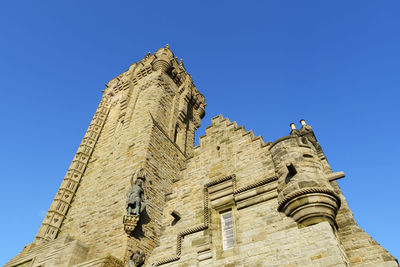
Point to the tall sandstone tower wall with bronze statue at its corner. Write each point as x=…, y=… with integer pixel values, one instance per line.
x=134, y=129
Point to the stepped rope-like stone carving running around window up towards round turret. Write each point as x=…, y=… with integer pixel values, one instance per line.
x=206, y=224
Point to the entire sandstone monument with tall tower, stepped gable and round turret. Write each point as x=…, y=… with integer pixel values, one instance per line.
x=139, y=193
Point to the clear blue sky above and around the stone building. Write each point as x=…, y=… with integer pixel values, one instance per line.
x=263, y=64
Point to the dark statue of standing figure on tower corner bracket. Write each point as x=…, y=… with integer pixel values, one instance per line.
x=135, y=202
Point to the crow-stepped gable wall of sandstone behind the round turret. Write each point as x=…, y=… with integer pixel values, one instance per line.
x=233, y=170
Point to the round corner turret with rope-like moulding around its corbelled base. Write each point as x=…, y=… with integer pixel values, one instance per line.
x=304, y=191
